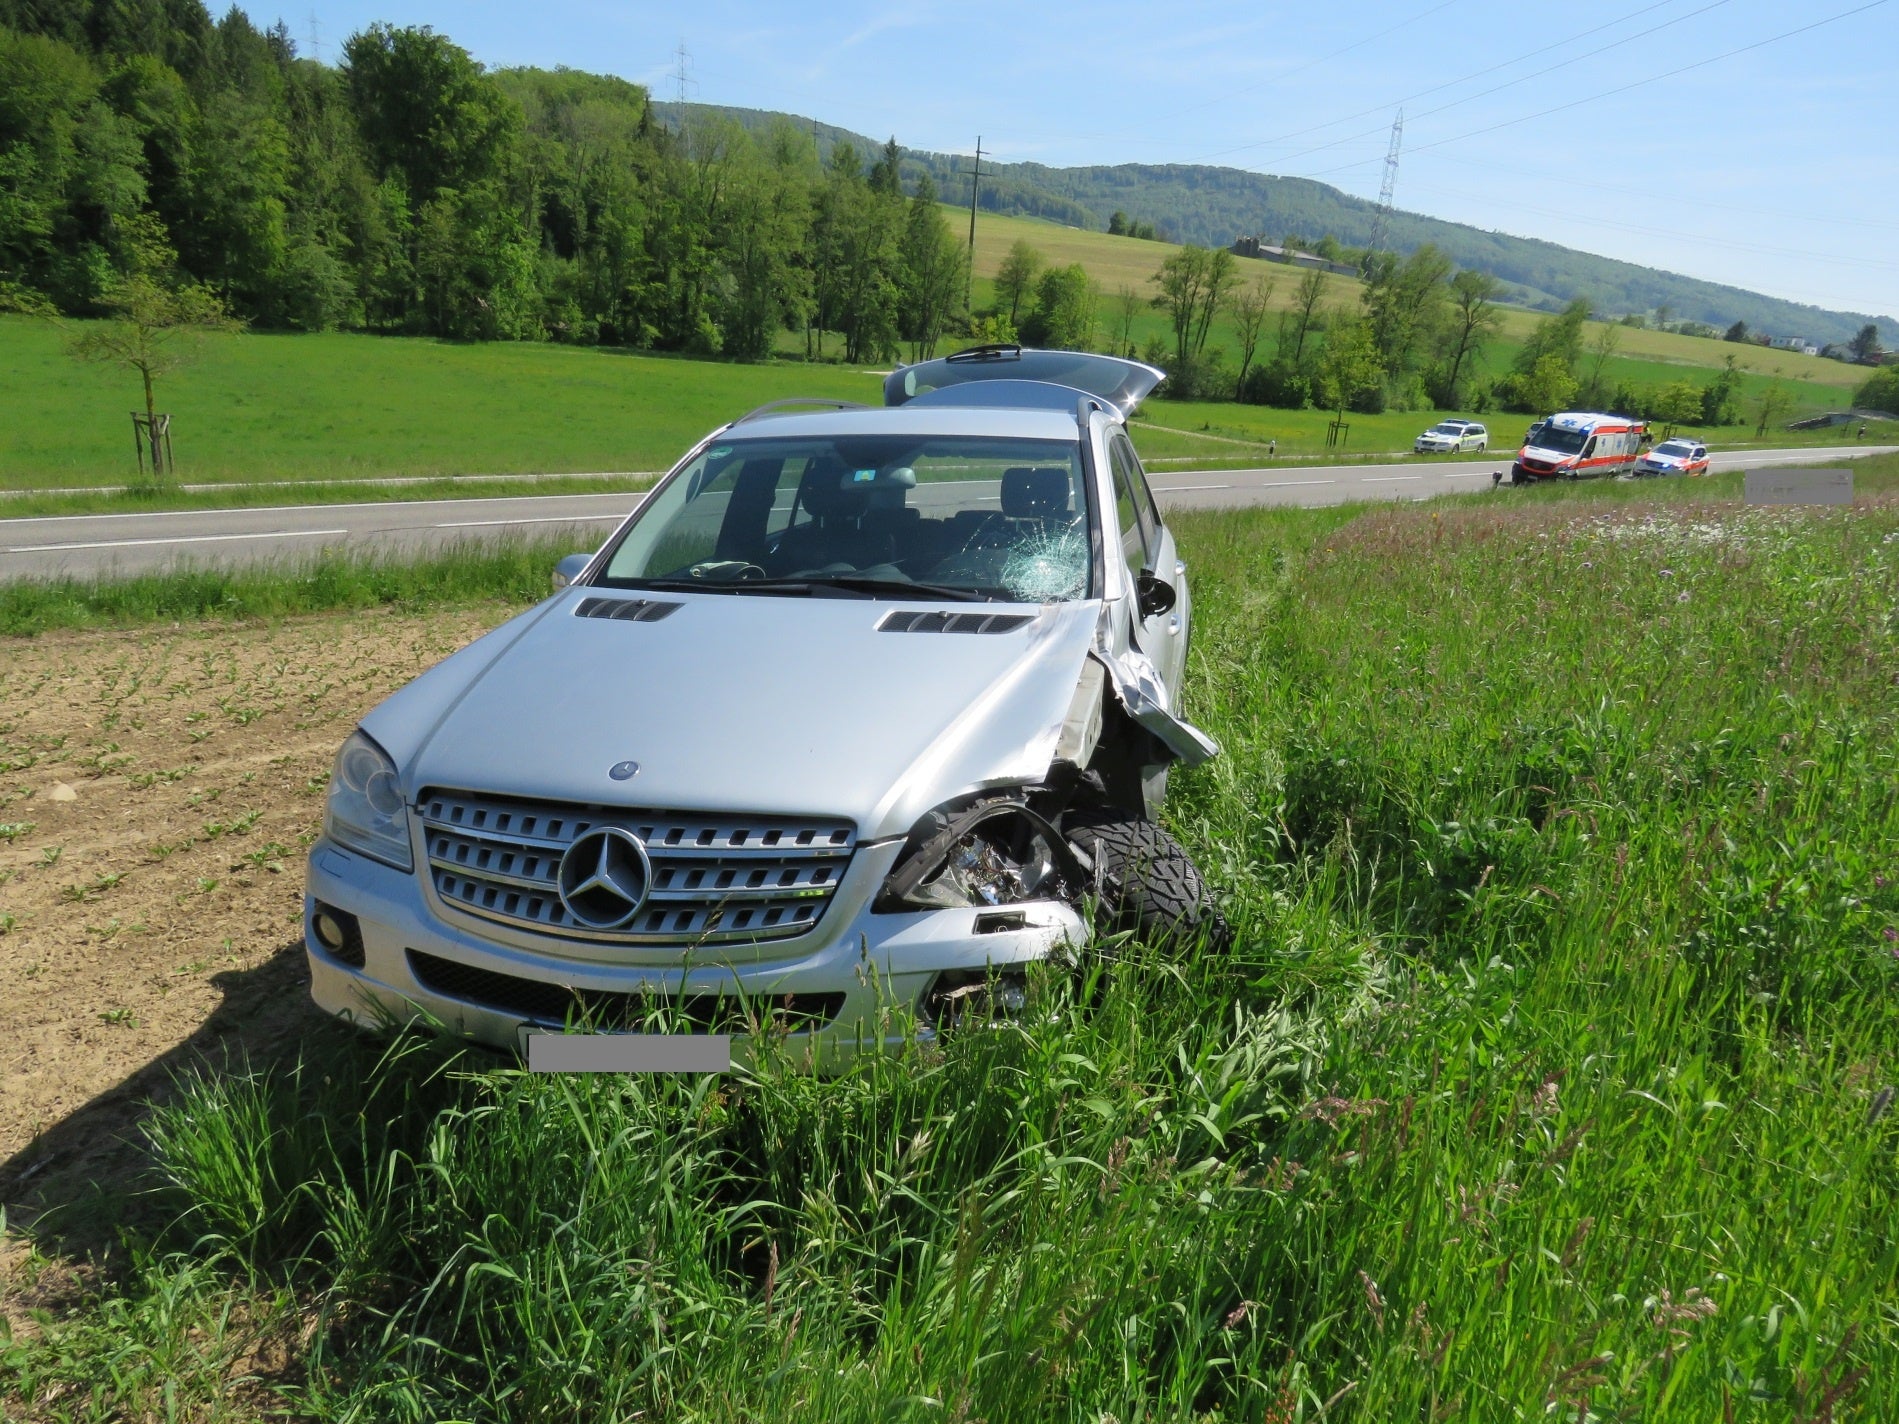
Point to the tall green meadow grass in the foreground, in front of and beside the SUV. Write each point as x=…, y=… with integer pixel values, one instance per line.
x=1551, y=1074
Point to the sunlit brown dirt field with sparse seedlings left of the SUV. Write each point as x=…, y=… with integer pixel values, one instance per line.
x=157, y=795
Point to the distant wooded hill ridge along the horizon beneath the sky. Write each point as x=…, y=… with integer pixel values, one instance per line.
x=1213, y=206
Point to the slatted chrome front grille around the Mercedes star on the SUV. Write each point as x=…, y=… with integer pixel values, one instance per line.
x=717, y=878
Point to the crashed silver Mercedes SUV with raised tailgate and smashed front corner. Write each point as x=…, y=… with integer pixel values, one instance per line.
x=859, y=711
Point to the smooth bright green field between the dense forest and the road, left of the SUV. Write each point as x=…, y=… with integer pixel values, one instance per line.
x=337, y=405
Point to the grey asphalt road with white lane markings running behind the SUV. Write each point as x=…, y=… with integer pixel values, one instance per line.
x=90, y=546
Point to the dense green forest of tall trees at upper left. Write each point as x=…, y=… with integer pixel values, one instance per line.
x=411, y=191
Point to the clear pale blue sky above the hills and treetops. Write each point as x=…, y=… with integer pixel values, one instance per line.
x=1773, y=170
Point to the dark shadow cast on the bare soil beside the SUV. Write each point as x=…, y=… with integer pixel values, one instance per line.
x=85, y=1180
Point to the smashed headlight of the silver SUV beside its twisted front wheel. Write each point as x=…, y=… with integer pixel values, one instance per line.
x=990, y=853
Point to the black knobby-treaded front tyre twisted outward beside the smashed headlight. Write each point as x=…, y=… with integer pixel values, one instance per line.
x=1146, y=880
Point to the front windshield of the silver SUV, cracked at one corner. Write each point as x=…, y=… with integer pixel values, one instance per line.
x=960, y=517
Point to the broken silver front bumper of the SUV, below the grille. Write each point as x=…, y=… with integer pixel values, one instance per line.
x=882, y=965
